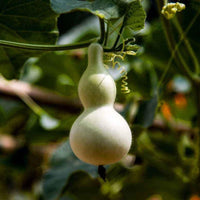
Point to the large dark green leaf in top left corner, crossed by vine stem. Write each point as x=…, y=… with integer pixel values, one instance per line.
x=27, y=21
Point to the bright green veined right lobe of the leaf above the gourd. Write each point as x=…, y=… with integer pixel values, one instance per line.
x=135, y=16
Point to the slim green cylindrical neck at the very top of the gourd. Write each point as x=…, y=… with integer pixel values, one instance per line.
x=95, y=55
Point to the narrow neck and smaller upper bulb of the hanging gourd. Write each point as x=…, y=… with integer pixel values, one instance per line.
x=96, y=86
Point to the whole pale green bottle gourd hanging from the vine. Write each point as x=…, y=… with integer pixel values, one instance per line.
x=100, y=135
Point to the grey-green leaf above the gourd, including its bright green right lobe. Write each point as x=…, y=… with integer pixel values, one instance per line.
x=132, y=10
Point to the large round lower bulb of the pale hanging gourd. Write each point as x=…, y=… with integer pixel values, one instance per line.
x=100, y=136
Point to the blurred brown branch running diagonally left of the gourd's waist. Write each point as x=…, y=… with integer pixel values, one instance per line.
x=39, y=95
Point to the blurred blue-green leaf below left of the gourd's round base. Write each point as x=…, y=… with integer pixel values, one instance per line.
x=63, y=163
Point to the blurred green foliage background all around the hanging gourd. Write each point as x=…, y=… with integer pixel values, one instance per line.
x=163, y=163
